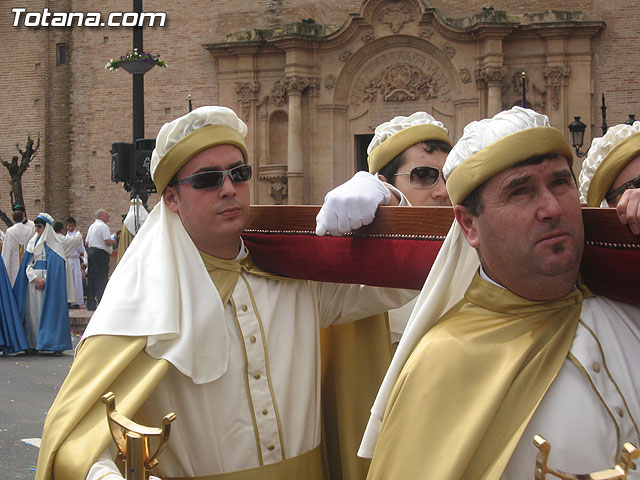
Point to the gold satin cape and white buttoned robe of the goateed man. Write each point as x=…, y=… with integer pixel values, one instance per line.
x=570, y=415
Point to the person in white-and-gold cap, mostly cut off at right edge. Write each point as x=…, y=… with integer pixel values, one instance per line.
x=610, y=175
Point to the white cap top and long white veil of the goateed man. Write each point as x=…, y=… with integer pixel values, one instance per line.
x=455, y=264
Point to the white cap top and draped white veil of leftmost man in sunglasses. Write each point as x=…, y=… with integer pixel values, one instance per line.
x=161, y=288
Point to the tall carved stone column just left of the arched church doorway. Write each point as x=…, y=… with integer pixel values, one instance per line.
x=295, y=166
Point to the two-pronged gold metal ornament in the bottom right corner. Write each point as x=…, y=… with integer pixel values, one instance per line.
x=619, y=472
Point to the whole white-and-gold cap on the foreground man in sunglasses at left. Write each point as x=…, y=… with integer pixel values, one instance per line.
x=183, y=138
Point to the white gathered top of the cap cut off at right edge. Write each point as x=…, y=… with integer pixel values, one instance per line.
x=600, y=148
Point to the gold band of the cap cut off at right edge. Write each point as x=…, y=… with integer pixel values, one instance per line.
x=610, y=167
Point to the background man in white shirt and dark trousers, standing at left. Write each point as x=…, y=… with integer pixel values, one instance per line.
x=99, y=247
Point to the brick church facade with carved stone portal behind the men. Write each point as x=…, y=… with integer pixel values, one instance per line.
x=310, y=79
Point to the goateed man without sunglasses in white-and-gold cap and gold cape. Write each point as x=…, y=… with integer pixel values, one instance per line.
x=528, y=350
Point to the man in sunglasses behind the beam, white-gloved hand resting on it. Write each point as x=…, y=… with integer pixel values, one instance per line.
x=405, y=158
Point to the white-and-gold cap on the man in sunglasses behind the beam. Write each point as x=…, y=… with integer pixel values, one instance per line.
x=395, y=136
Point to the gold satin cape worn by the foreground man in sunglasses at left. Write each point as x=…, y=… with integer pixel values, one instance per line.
x=76, y=432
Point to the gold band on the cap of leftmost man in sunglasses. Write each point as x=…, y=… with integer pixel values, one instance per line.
x=194, y=143
